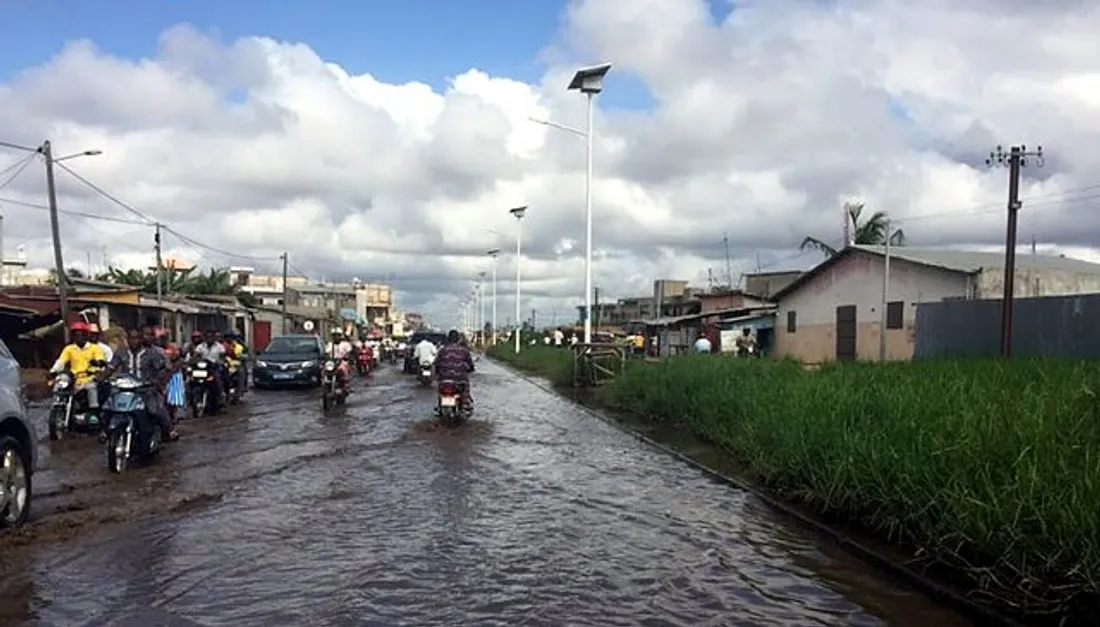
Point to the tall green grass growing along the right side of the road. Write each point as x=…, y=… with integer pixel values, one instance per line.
x=988, y=467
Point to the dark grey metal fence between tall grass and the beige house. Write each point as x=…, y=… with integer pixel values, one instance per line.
x=1052, y=326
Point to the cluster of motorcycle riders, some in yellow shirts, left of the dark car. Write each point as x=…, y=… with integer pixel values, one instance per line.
x=150, y=355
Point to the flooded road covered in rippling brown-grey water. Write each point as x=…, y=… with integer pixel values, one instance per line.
x=535, y=514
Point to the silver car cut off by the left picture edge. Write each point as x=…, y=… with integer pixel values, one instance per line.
x=18, y=445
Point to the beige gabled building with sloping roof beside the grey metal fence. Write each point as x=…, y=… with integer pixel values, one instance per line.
x=833, y=312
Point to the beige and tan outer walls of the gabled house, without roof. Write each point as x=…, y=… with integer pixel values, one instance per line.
x=857, y=280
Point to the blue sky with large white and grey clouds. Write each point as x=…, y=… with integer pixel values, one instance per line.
x=388, y=140
